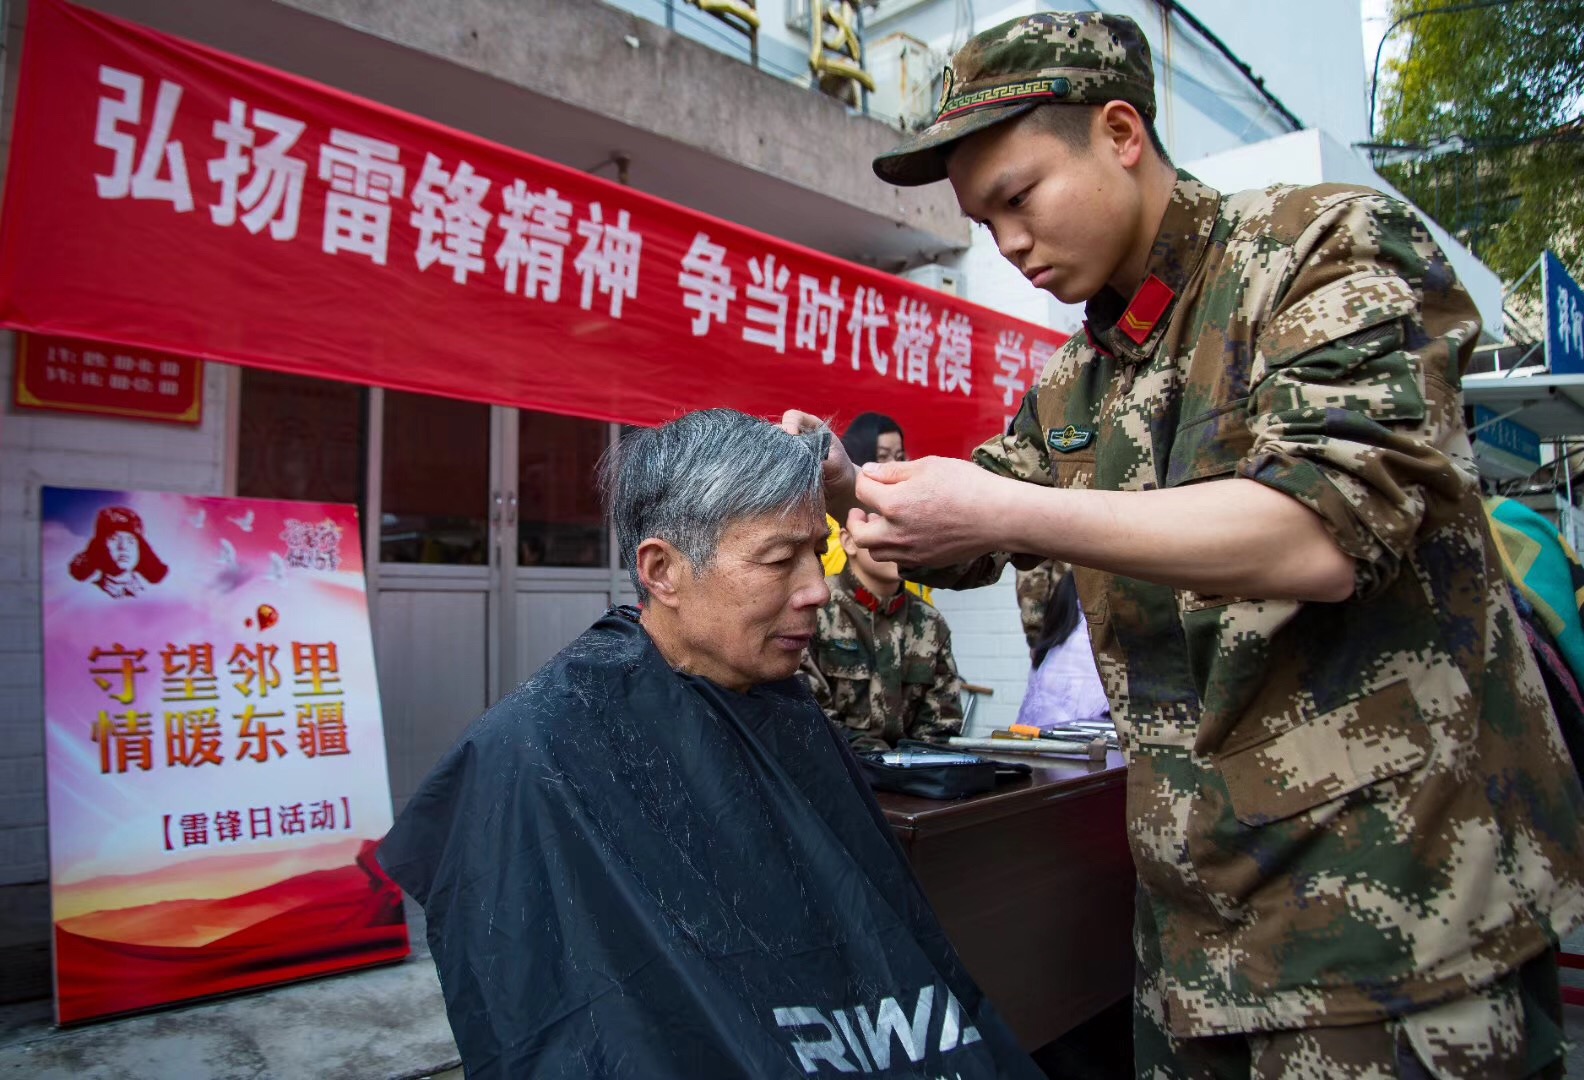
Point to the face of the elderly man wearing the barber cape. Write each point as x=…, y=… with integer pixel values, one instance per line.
x=748, y=617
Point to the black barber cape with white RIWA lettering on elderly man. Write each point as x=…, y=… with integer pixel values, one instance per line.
x=636, y=873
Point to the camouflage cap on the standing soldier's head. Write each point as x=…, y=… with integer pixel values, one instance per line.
x=1075, y=58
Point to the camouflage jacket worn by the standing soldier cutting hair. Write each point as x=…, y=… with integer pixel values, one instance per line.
x=1339, y=812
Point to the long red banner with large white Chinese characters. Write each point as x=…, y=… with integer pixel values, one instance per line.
x=164, y=196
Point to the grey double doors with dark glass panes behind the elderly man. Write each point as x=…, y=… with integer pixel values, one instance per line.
x=485, y=539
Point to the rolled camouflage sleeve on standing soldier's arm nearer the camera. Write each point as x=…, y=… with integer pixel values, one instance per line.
x=1355, y=405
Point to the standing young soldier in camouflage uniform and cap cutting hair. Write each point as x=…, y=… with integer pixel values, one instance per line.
x=1355, y=826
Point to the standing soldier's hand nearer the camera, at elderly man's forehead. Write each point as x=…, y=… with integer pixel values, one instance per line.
x=927, y=512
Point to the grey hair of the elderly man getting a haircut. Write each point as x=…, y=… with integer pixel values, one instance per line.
x=690, y=481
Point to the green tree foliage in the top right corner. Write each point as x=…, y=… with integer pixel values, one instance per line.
x=1509, y=82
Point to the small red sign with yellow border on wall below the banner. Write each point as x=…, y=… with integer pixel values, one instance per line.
x=70, y=375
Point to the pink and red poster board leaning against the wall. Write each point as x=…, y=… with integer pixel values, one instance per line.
x=211, y=810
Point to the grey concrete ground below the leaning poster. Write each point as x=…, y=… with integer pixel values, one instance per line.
x=379, y=1024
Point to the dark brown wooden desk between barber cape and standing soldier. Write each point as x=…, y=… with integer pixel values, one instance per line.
x=1034, y=884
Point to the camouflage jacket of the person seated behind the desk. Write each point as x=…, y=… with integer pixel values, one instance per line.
x=886, y=675
